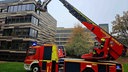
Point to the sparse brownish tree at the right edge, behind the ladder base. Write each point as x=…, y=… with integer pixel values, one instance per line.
x=120, y=28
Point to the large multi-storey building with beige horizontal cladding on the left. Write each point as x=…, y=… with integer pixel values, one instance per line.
x=21, y=25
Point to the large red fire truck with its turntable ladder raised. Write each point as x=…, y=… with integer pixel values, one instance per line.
x=45, y=58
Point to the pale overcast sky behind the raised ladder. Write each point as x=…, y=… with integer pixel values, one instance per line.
x=100, y=11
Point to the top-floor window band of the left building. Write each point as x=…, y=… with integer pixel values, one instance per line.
x=25, y=7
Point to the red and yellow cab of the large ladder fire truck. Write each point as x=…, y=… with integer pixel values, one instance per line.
x=42, y=58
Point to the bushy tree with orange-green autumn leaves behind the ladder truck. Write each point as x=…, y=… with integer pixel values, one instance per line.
x=79, y=42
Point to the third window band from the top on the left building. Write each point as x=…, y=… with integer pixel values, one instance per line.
x=21, y=32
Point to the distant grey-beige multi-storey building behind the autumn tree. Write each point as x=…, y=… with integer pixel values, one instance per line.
x=63, y=34
